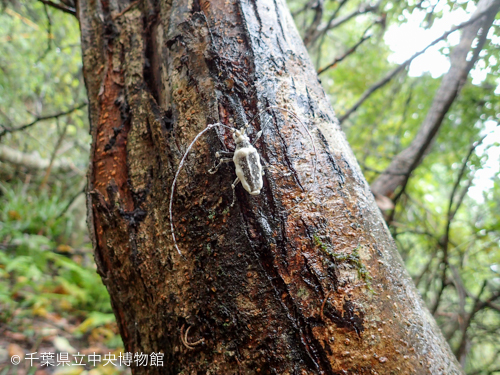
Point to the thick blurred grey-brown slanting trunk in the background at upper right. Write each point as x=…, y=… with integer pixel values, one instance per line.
x=398, y=172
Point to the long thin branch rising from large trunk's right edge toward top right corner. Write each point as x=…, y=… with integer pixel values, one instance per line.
x=398, y=69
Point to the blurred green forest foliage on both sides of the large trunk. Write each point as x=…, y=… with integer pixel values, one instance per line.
x=446, y=221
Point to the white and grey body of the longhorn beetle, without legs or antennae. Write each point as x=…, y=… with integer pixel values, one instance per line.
x=247, y=163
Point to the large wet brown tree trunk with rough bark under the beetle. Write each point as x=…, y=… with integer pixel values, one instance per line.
x=320, y=289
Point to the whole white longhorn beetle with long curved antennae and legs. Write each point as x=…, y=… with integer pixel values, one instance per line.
x=248, y=166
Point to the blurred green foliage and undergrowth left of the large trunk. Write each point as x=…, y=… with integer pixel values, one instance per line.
x=51, y=298
